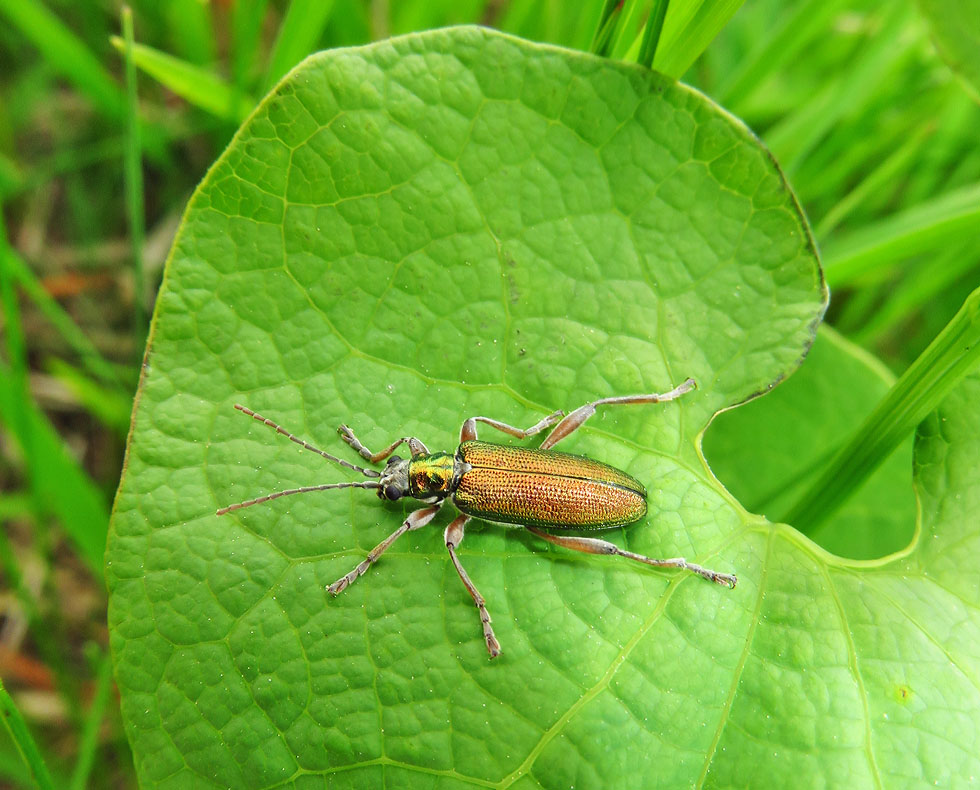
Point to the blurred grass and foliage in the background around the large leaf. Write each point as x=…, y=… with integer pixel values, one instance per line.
x=876, y=134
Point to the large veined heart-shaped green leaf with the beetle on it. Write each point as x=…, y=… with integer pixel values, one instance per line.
x=459, y=223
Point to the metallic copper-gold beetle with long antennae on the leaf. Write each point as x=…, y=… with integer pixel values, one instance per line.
x=540, y=489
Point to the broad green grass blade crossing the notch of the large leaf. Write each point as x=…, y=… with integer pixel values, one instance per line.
x=938, y=369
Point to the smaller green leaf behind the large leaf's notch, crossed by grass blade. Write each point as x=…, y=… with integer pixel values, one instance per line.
x=769, y=450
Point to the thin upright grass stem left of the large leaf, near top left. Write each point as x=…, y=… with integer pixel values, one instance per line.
x=134, y=184
